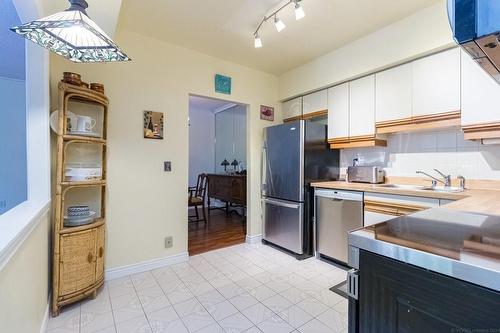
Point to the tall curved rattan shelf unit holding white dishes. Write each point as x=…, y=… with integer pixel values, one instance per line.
x=78, y=252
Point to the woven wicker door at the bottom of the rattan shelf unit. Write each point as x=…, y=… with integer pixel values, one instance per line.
x=78, y=262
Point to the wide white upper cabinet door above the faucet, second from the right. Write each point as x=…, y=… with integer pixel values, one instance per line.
x=436, y=83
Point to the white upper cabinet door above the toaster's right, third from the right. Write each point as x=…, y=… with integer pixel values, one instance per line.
x=394, y=93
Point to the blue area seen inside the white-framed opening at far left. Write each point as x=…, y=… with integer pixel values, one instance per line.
x=13, y=156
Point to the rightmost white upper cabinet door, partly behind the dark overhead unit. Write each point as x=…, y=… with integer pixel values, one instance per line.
x=480, y=94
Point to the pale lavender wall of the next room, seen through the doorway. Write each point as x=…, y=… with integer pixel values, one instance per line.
x=201, y=143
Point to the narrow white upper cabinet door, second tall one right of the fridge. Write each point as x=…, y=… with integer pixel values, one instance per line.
x=362, y=106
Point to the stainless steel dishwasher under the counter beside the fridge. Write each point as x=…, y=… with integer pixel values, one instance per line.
x=336, y=213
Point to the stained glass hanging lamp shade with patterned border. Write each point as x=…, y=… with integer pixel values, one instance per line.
x=73, y=35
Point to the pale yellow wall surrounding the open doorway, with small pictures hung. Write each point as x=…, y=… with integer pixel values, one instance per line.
x=145, y=204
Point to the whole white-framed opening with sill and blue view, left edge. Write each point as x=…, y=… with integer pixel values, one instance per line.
x=32, y=138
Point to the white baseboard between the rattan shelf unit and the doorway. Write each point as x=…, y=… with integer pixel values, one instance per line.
x=118, y=272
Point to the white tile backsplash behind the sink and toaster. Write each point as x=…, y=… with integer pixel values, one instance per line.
x=445, y=150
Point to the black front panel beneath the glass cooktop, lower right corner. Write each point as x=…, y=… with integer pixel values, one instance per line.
x=397, y=297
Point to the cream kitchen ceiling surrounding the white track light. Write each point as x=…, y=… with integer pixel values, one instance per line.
x=224, y=28
